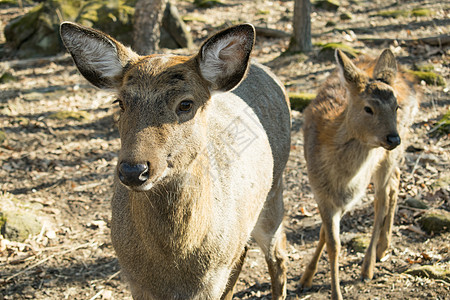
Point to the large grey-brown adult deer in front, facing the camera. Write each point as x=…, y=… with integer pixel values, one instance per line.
x=204, y=141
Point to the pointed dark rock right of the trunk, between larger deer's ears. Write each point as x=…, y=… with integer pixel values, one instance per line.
x=174, y=33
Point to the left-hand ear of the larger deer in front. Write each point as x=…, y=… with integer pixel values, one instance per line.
x=100, y=58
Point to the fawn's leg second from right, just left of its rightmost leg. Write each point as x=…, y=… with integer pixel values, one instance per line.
x=382, y=181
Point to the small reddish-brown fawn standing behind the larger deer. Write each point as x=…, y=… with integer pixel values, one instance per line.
x=352, y=130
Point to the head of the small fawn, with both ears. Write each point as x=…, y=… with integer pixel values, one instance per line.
x=372, y=105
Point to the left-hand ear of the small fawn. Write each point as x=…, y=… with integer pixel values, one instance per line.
x=351, y=74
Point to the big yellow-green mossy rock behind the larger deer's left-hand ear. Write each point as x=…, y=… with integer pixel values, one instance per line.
x=37, y=32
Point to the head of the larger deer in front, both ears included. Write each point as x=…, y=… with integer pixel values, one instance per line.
x=162, y=98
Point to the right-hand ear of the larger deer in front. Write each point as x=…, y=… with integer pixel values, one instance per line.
x=224, y=58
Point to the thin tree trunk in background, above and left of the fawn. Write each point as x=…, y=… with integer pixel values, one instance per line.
x=301, y=41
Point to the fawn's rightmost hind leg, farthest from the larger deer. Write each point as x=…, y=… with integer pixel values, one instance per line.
x=386, y=232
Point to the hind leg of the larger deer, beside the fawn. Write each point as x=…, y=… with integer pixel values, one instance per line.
x=270, y=236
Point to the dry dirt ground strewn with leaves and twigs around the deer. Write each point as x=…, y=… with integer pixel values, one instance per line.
x=62, y=170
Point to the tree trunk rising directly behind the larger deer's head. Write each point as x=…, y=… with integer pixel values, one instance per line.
x=147, y=21
